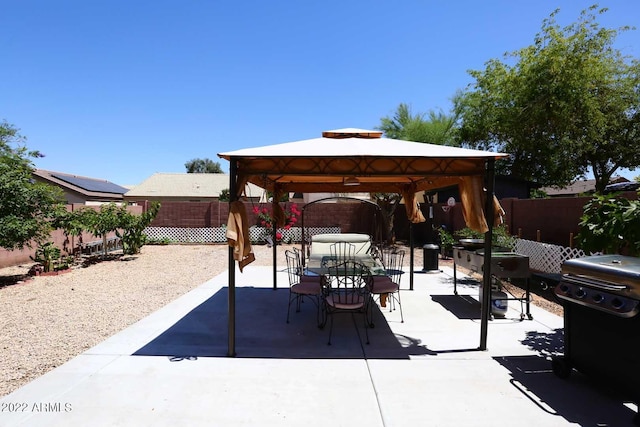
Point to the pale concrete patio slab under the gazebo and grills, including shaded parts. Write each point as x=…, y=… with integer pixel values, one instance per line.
x=171, y=367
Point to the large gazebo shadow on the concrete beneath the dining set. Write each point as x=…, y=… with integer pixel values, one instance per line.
x=262, y=332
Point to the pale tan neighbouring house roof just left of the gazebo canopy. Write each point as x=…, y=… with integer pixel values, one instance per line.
x=186, y=185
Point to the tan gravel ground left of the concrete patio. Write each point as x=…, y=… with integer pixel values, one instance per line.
x=47, y=320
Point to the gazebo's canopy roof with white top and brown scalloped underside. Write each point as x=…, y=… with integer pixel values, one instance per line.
x=356, y=160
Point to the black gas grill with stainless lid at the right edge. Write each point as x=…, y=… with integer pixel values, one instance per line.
x=601, y=300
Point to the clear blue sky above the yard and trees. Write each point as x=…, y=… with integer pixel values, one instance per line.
x=120, y=90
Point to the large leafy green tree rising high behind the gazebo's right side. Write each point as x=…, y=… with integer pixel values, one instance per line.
x=566, y=104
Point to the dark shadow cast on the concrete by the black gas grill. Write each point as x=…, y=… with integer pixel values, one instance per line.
x=577, y=400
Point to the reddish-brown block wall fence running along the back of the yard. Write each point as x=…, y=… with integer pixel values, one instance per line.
x=552, y=221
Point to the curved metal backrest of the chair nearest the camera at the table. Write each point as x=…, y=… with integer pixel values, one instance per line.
x=351, y=282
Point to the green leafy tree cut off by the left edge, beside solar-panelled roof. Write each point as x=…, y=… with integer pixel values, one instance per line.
x=25, y=205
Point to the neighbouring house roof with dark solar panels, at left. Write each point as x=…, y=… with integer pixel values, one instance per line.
x=85, y=187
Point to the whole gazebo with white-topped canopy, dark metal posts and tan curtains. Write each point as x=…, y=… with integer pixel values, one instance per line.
x=358, y=160
